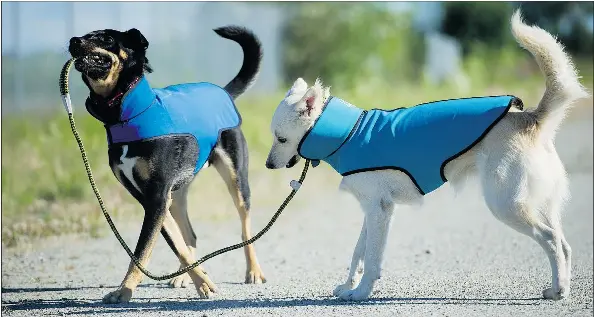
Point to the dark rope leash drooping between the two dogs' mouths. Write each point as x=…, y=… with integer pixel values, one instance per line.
x=295, y=185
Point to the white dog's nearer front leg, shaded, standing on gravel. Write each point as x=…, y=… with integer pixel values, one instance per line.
x=378, y=217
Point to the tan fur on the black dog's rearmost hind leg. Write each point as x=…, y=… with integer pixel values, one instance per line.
x=225, y=168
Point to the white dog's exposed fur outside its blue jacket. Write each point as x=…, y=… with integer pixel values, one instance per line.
x=523, y=180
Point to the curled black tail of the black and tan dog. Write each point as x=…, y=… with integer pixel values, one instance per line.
x=252, y=58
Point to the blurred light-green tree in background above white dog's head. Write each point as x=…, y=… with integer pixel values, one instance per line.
x=345, y=44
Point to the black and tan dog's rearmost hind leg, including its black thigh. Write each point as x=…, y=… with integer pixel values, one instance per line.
x=231, y=161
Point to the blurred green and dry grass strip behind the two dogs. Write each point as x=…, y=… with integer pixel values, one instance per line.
x=45, y=190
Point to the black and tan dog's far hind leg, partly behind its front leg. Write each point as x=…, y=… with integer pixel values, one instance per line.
x=179, y=212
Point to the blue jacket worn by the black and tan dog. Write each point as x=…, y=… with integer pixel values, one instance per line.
x=202, y=110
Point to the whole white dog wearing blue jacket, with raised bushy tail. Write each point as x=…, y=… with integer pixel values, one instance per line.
x=523, y=180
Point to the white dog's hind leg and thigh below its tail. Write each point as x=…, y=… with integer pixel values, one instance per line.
x=530, y=203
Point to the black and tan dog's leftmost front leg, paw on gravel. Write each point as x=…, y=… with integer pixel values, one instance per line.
x=155, y=209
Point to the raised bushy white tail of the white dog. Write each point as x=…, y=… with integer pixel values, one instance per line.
x=562, y=82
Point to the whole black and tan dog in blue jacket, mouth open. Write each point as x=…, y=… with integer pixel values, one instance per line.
x=157, y=171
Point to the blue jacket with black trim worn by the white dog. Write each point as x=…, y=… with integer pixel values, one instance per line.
x=418, y=141
